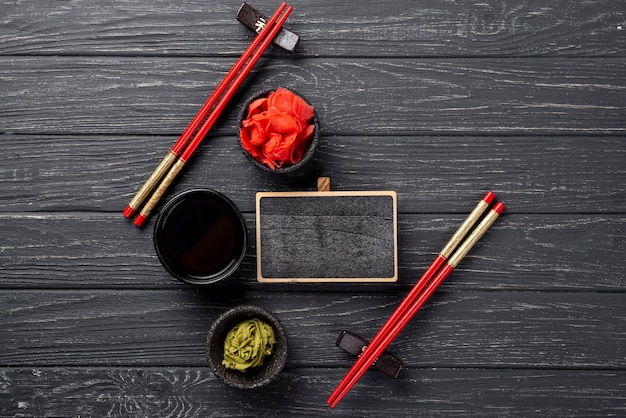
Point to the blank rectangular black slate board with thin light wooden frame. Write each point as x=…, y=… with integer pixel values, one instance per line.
x=326, y=236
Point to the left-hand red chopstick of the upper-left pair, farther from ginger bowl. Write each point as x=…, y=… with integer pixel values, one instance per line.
x=178, y=147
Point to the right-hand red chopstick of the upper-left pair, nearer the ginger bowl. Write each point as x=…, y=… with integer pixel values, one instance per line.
x=271, y=30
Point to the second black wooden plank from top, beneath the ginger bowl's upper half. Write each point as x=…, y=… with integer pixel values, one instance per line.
x=368, y=96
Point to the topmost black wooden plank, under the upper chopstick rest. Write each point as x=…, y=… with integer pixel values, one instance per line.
x=327, y=27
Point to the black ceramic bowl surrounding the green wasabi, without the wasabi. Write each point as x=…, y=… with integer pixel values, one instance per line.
x=255, y=376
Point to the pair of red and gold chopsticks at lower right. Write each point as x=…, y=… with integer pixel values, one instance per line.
x=450, y=256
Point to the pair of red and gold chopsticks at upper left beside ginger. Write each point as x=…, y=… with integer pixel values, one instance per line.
x=172, y=164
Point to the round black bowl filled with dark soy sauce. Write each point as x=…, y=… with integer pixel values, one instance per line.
x=200, y=236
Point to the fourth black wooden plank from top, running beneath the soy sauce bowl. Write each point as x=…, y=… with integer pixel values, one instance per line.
x=548, y=252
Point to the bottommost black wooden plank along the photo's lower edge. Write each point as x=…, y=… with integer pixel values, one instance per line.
x=195, y=392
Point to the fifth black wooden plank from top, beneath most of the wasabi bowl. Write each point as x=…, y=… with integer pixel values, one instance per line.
x=455, y=329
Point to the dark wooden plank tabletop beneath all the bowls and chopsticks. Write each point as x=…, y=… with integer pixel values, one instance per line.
x=437, y=100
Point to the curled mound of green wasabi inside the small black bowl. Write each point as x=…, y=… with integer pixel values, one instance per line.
x=247, y=344
